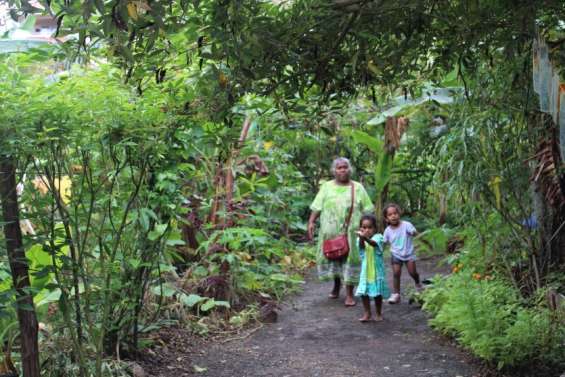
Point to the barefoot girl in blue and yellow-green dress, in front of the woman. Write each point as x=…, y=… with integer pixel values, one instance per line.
x=372, y=282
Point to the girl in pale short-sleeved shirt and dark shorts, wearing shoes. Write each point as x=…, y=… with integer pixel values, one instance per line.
x=399, y=235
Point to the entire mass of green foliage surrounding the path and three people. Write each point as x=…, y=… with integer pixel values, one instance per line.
x=145, y=149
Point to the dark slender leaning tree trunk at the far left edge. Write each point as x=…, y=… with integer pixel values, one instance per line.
x=19, y=267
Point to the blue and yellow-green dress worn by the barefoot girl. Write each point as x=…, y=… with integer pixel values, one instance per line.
x=372, y=281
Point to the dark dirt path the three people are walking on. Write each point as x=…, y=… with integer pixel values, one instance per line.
x=315, y=336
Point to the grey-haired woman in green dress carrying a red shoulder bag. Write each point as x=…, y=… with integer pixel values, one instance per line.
x=332, y=204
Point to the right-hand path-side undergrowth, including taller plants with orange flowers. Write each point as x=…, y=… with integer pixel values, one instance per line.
x=482, y=307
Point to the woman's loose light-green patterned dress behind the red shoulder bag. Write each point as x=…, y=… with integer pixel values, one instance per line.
x=333, y=202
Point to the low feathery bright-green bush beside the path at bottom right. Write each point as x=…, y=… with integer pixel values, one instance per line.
x=488, y=317
